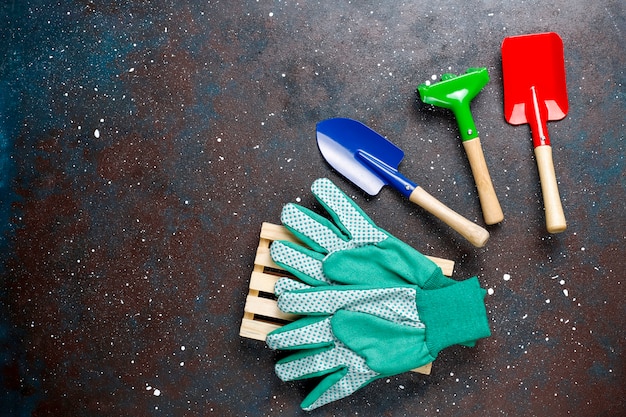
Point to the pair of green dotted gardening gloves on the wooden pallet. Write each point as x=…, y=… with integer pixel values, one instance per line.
x=372, y=306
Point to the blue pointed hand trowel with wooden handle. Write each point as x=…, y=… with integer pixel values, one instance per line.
x=370, y=161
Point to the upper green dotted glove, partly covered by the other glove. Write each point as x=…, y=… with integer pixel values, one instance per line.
x=350, y=250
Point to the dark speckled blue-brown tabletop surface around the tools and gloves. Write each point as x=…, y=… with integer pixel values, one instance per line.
x=142, y=143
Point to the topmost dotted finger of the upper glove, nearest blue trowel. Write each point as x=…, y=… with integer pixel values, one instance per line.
x=348, y=216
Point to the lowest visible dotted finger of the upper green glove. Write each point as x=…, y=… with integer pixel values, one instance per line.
x=299, y=261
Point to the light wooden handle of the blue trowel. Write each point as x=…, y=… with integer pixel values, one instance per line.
x=469, y=230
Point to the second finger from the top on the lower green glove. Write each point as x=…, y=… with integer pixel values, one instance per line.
x=305, y=333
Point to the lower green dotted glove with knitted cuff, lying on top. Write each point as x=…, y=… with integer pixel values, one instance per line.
x=352, y=335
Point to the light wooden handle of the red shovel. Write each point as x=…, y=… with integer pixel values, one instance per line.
x=555, y=218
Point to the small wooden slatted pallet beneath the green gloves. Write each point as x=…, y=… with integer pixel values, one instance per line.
x=261, y=313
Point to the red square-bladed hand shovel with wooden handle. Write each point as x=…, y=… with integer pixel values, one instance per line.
x=535, y=92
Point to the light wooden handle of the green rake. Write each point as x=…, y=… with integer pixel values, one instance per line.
x=492, y=212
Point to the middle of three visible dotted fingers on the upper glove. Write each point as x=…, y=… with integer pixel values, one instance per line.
x=314, y=230
